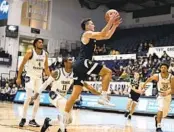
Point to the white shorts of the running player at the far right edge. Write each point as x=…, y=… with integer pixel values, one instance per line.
x=164, y=104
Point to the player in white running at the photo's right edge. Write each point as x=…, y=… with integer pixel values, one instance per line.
x=165, y=85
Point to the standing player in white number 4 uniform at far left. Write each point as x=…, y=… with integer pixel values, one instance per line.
x=36, y=60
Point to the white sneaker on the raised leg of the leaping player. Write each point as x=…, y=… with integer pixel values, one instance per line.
x=103, y=100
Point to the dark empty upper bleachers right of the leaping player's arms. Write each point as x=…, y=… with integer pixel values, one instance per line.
x=129, y=39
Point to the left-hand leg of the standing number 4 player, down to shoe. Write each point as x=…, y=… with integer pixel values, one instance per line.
x=29, y=93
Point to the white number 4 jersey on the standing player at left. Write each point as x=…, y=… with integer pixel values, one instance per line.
x=35, y=65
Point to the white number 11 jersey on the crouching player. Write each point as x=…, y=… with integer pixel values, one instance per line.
x=63, y=82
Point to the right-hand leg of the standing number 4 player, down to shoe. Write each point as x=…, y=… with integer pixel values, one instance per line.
x=37, y=84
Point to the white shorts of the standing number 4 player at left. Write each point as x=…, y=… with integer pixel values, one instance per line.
x=32, y=85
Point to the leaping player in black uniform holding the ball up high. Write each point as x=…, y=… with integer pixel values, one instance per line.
x=84, y=66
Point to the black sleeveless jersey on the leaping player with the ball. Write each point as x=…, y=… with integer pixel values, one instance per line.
x=87, y=50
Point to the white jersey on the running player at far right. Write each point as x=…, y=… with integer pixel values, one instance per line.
x=164, y=84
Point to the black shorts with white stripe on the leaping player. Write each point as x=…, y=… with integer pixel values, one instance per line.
x=82, y=69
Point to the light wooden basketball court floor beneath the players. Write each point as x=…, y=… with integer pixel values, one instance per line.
x=84, y=121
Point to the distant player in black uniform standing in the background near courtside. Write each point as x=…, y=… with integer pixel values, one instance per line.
x=134, y=95
